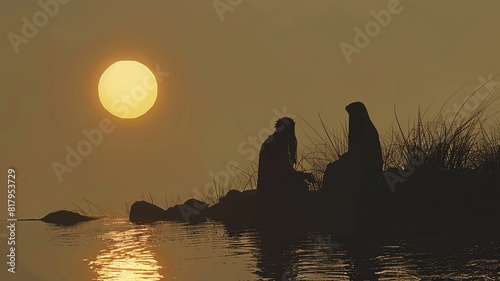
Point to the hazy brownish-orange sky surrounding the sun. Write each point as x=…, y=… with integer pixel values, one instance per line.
x=229, y=71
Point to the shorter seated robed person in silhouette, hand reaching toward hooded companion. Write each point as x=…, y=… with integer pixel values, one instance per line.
x=279, y=186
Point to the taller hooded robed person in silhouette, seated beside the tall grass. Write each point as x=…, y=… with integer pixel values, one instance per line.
x=350, y=183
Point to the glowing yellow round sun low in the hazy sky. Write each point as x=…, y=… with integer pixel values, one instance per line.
x=127, y=89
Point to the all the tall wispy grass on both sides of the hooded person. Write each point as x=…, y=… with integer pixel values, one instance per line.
x=459, y=143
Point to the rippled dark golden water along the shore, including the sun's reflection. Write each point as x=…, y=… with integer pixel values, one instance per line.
x=114, y=249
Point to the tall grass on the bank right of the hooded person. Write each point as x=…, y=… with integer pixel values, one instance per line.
x=454, y=144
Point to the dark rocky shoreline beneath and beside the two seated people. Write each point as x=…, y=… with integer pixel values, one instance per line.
x=412, y=210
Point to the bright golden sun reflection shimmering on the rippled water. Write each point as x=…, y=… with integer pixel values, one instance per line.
x=127, y=256
